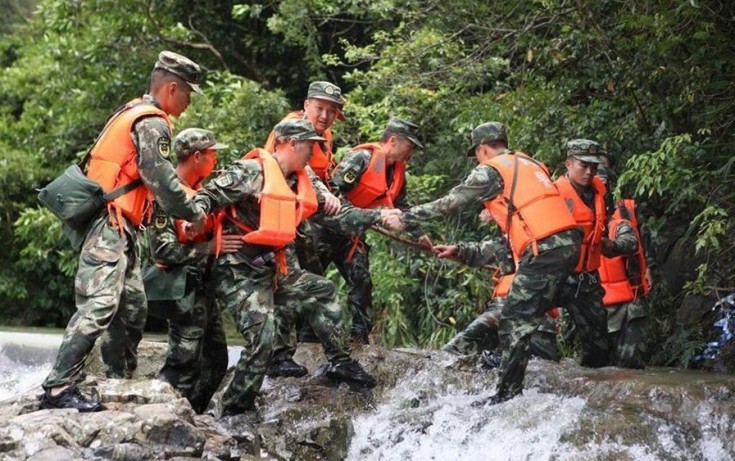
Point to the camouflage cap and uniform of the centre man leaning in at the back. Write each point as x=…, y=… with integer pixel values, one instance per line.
x=351, y=258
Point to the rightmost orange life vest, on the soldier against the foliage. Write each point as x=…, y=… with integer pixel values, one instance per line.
x=614, y=274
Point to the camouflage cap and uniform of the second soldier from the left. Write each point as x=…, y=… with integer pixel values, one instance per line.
x=197, y=357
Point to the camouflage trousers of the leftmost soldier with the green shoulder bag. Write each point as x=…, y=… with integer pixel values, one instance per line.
x=110, y=299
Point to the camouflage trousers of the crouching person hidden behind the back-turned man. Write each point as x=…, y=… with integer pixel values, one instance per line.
x=482, y=335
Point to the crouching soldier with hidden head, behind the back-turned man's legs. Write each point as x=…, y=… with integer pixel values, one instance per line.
x=481, y=336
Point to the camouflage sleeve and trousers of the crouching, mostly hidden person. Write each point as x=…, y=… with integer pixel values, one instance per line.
x=482, y=333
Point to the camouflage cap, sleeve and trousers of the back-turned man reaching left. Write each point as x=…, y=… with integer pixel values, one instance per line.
x=539, y=283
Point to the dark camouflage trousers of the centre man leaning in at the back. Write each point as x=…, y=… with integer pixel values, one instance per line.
x=353, y=263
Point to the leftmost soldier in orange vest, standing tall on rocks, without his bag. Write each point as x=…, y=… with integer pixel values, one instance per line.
x=130, y=157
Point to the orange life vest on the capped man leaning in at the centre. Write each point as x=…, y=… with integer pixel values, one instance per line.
x=372, y=190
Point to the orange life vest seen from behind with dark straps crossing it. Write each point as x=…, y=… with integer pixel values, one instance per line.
x=538, y=210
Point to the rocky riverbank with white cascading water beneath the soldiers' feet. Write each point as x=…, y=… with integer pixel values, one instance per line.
x=423, y=397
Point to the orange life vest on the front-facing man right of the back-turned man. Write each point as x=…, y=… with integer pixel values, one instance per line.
x=592, y=223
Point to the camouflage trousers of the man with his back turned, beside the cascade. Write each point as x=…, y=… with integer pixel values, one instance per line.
x=543, y=282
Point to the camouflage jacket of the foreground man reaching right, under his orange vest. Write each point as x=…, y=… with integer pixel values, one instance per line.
x=240, y=185
